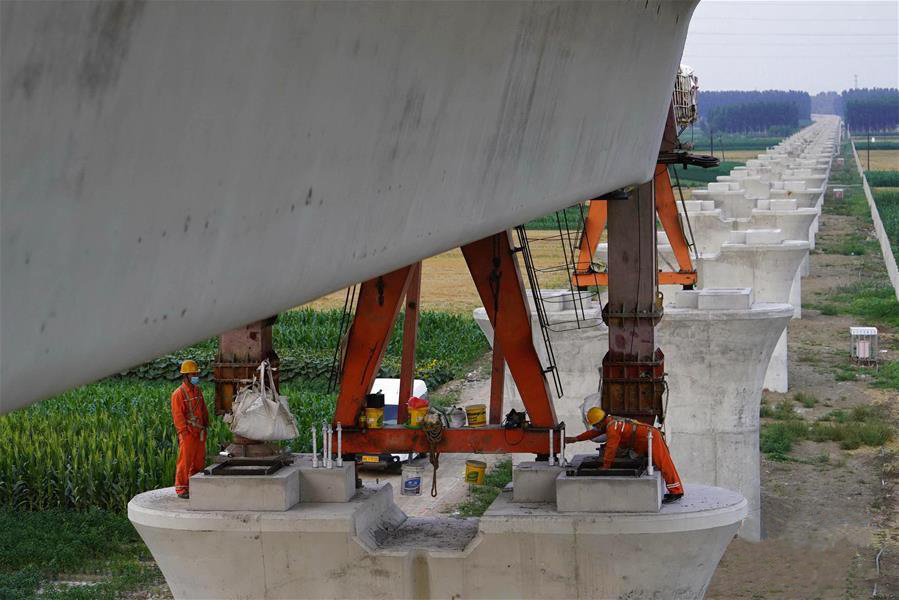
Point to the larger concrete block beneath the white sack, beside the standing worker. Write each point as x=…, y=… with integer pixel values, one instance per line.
x=276, y=492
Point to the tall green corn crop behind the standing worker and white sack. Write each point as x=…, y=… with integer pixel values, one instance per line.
x=99, y=445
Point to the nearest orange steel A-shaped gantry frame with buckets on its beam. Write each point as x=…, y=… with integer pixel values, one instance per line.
x=494, y=269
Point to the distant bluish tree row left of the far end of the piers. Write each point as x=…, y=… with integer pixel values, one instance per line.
x=751, y=111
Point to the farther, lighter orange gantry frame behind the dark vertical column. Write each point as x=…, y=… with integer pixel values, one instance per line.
x=666, y=209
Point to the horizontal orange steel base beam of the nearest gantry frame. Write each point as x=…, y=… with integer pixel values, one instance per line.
x=491, y=439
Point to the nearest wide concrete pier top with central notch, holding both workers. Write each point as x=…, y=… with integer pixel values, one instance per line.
x=369, y=548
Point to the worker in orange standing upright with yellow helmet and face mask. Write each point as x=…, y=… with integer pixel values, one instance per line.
x=191, y=420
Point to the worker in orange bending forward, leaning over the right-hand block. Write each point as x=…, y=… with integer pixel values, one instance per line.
x=627, y=433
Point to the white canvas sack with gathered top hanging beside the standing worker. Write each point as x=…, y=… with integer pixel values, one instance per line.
x=259, y=413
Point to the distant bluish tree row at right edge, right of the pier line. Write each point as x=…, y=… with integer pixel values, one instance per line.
x=866, y=109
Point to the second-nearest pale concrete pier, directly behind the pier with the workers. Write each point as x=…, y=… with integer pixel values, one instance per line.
x=718, y=344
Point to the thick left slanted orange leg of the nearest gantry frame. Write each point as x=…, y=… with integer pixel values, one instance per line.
x=379, y=303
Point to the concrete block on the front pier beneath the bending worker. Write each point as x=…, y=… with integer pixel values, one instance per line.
x=609, y=494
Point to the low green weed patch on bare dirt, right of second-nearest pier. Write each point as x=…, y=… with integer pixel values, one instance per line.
x=862, y=426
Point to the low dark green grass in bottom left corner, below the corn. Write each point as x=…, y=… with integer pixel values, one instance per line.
x=42, y=547
